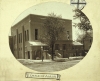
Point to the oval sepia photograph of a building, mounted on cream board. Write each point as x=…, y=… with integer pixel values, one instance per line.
x=50, y=37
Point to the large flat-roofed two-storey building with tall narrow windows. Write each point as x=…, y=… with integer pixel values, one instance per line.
x=26, y=33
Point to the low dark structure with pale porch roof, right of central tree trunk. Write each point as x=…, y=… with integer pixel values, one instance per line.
x=68, y=48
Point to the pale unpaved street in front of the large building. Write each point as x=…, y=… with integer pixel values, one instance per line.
x=50, y=66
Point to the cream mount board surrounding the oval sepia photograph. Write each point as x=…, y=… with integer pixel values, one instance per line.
x=88, y=71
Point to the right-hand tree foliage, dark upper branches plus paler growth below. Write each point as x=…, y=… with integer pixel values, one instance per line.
x=84, y=24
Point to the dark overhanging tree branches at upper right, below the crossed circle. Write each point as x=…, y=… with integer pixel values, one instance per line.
x=84, y=23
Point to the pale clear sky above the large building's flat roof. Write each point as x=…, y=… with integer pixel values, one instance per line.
x=63, y=9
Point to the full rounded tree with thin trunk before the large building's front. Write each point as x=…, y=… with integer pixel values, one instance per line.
x=53, y=28
